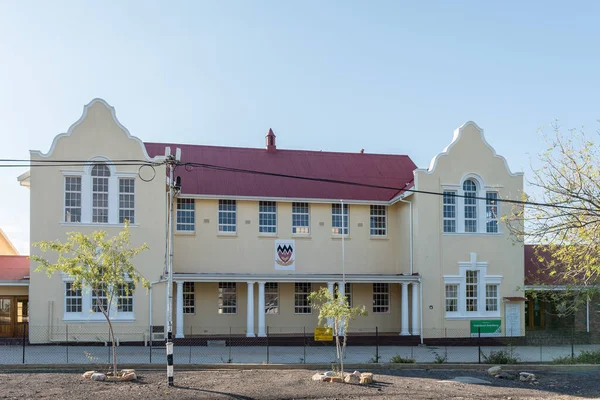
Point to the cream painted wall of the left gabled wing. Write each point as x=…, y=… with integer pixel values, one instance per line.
x=97, y=134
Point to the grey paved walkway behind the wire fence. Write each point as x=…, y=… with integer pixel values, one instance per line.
x=60, y=354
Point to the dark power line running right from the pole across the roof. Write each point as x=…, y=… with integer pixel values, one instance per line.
x=397, y=189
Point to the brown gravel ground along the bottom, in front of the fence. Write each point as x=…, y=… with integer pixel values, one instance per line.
x=297, y=384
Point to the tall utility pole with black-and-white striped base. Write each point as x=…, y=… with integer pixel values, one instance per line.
x=174, y=187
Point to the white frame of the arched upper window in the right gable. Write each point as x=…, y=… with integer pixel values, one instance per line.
x=481, y=194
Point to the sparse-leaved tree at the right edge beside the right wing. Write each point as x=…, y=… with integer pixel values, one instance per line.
x=564, y=221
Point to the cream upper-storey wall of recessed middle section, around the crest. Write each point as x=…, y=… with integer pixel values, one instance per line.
x=320, y=252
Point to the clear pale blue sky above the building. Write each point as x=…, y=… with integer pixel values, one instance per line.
x=386, y=76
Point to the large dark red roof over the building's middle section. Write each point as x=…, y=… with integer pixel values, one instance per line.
x=375, y=169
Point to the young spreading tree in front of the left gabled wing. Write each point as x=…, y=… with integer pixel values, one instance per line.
x=100, y=264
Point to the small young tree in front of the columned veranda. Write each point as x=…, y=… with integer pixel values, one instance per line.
x=337, y=311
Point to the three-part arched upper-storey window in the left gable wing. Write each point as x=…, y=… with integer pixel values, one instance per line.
x=99, y=195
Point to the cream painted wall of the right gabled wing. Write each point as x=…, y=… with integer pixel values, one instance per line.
x=437, y=254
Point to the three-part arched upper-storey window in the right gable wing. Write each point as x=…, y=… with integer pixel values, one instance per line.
x=470, y=208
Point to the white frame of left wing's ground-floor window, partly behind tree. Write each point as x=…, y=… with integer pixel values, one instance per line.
x=87, y=314
